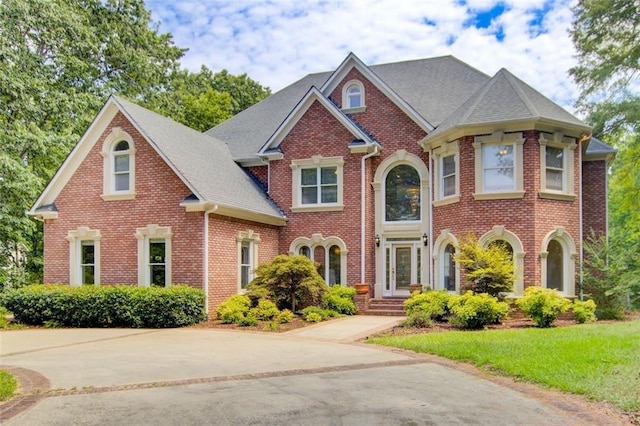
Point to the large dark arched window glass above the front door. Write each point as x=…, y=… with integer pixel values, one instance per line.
x=402, y=194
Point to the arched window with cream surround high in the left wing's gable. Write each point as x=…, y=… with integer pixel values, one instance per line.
x=118, y=151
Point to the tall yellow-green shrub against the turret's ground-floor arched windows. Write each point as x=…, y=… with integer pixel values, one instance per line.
x=488, y=270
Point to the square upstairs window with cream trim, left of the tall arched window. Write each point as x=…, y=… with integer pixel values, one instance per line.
x=317, y=184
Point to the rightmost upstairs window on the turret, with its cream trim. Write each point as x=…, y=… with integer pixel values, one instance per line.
x=556, y=167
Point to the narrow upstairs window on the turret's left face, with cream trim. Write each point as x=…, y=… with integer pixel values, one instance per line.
x=447, y=166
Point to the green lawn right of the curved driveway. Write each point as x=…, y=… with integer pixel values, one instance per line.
x=601, y=361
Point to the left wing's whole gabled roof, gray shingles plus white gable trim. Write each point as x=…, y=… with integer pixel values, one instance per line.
x=203, y=163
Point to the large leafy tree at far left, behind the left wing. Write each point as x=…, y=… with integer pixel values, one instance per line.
x=59, y=60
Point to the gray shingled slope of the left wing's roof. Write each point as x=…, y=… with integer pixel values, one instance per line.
x=203, y=162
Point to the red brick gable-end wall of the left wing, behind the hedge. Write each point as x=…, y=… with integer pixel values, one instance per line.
x=158, y=194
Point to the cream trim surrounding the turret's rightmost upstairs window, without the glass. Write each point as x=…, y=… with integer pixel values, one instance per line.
x=568, y=146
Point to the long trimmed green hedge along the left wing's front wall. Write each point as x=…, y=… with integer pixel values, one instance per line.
x=106, y=306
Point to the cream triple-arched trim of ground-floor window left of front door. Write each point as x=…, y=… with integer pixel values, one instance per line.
x=330, y=246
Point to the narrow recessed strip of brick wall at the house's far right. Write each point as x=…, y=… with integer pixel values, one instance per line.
x=594, y=201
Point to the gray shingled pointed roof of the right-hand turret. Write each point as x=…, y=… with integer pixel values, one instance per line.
x=505, y=98
